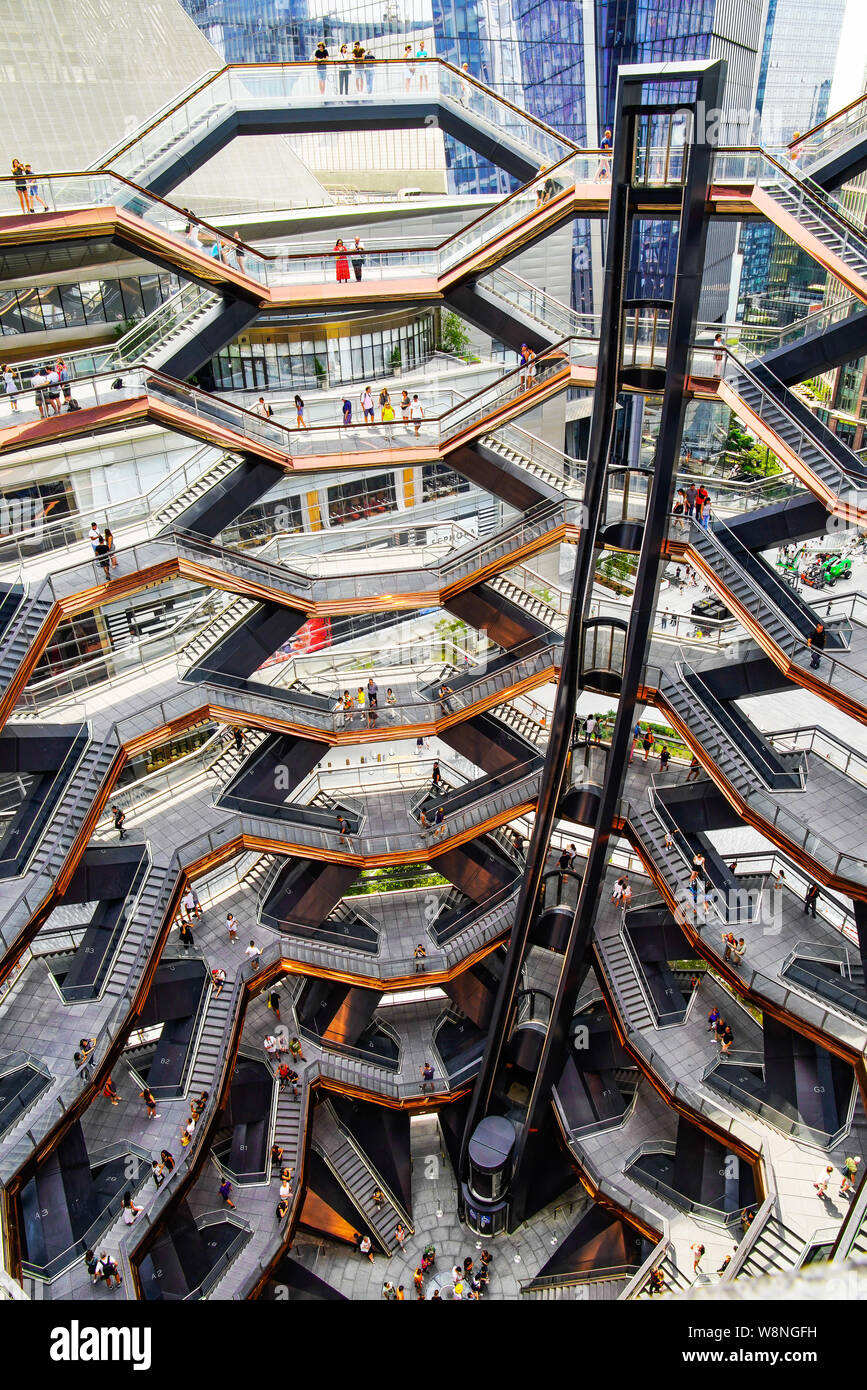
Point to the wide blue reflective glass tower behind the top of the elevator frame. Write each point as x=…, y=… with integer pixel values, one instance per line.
x=555, y=59
